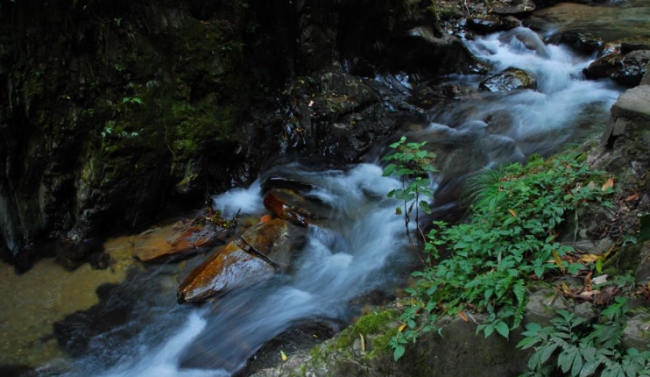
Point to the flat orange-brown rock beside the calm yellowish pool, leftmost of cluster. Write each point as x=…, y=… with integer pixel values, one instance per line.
x=186, y=236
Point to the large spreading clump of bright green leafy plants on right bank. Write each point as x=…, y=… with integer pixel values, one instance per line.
x=511, y=238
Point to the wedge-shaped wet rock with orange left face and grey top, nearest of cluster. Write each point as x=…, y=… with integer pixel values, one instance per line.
x=226, y=269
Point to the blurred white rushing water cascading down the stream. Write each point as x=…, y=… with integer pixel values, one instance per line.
x=361, y=248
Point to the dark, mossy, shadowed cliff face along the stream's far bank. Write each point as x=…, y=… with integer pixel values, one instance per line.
x=112, y=109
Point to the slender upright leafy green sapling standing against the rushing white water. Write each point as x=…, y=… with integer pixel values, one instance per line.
x=412, y=165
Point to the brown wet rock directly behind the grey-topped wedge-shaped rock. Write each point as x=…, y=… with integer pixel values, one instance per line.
x=275, y=240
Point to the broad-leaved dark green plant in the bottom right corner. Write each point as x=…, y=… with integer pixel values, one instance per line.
x=577, y=348
